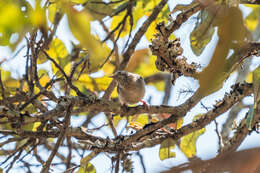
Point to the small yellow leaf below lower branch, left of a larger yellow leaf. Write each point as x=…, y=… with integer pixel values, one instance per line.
x=165, y=149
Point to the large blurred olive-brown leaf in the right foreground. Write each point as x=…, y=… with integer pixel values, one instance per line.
x=230, y=29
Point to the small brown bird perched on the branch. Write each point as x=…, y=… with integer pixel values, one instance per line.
x=130, y=87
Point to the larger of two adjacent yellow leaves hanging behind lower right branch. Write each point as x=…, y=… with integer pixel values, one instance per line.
x=188, y=142
